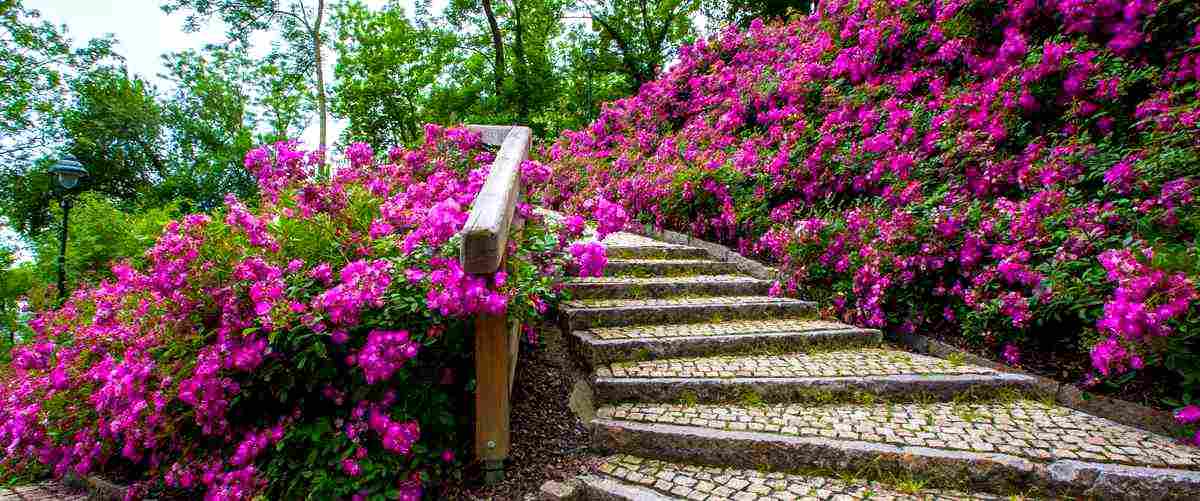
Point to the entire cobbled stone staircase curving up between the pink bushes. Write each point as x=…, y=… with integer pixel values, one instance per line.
x=707, y=389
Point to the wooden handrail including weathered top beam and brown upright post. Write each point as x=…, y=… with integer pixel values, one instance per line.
x=485, y=239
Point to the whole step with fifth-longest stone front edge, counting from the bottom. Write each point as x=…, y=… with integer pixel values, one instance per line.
x=667, y=287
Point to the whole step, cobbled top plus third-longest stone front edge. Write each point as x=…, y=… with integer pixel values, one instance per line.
x=603, y=346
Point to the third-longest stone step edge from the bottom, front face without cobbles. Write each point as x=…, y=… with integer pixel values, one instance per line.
x=598, y=352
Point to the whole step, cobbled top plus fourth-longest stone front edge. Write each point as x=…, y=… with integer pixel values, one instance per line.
x=580, y=315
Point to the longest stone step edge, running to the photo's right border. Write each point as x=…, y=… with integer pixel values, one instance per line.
x=983, y=472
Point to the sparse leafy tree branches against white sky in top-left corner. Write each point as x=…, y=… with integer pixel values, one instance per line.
x=35, y=62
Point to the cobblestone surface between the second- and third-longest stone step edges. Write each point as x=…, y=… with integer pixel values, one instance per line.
x=865, y=363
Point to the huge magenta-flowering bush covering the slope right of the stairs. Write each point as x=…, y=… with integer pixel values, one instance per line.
x=1017, y=174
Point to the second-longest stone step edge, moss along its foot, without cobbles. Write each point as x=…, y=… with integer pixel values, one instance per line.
x=781, y=390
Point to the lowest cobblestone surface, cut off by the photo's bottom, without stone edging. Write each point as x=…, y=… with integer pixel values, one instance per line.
x=707, y=484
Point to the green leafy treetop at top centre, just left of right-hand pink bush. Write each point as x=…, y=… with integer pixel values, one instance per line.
x=638, y=35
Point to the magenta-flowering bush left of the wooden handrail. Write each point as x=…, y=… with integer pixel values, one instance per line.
x=316, y=347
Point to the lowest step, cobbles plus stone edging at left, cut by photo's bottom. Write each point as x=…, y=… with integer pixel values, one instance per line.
x=631, y=478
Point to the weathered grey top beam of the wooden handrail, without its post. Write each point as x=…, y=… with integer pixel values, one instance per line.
x=485, y=236
